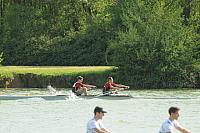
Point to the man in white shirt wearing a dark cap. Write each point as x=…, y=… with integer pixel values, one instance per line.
x=95, y=125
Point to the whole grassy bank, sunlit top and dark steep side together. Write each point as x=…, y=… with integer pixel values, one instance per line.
x=59, y=76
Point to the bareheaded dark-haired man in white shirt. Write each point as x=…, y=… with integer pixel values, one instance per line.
x=171, y=123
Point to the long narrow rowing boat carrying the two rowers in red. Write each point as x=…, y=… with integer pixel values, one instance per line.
x=64, y=97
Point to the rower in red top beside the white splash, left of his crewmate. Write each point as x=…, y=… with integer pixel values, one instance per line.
x=79, y=87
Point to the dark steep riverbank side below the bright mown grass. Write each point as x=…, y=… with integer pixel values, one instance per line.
x=30, y=79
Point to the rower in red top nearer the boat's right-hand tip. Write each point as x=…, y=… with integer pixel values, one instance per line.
x=110, y=87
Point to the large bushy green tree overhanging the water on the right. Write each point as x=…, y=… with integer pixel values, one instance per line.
x=155, y=46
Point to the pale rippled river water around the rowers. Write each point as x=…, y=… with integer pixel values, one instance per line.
x=142, y=114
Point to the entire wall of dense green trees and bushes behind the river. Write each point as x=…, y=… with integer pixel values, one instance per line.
x=154, y=43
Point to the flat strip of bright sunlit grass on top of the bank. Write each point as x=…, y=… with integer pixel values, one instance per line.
x=9, y=71
